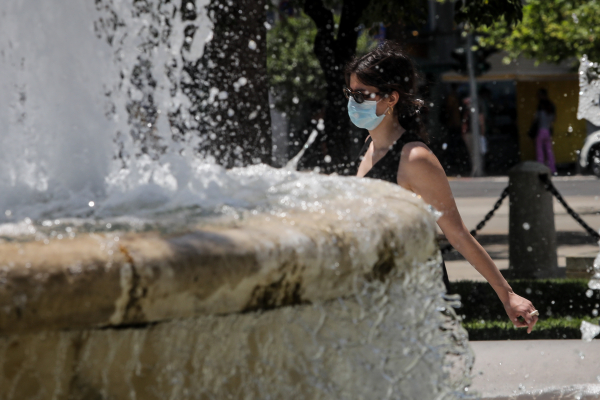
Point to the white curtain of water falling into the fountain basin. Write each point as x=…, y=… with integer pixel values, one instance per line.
x=88, y=111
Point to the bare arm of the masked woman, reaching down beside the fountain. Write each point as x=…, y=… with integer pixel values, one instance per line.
x=421, y=172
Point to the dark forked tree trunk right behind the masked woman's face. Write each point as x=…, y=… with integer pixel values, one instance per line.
x=333, y=52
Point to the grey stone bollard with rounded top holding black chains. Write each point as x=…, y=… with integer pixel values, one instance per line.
x=531, y=232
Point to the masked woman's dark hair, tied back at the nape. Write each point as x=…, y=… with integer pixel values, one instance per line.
x=389, y=69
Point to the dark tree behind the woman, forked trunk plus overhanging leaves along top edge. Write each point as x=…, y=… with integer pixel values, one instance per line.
x=335, y=44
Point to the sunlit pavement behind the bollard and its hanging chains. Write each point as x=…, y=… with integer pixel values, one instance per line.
x=476, y=196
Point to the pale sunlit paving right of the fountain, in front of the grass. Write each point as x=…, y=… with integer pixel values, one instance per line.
x=537, y=369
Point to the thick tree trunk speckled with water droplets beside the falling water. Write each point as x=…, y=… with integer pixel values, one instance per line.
x=232, y=98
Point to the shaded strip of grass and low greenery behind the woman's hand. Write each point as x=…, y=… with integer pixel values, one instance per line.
x=563, y=304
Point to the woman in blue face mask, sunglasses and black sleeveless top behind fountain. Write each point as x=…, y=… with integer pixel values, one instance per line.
x=382, y=98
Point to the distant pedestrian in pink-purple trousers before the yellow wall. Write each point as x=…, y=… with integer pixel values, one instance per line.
x=544, y=118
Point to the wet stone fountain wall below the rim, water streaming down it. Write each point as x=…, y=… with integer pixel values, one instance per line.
x=386, y=340
